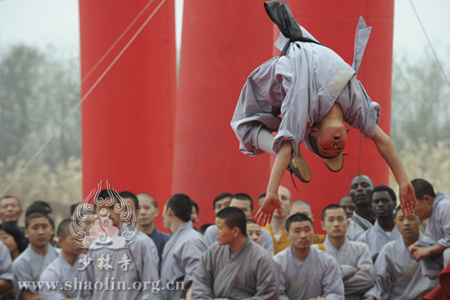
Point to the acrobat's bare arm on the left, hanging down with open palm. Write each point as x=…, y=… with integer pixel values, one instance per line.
x=271, y=202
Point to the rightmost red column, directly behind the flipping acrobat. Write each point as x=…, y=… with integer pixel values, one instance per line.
x=333, y=23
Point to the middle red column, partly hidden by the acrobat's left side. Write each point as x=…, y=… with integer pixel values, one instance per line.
x=222, y=43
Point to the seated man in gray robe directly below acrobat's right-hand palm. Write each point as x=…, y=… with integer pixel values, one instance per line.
x=397, y=274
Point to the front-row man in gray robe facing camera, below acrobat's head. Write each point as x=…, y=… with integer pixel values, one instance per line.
x=306, y=272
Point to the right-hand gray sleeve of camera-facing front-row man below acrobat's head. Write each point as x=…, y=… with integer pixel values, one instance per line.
x=333, y=286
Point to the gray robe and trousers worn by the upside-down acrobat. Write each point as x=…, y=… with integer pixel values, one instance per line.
x=302, y=87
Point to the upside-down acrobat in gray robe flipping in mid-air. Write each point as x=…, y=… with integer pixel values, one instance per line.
x=315, y=91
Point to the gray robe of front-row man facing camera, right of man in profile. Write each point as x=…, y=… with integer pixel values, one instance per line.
x=318, y=275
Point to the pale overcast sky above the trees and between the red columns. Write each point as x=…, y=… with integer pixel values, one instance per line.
x=56, y=22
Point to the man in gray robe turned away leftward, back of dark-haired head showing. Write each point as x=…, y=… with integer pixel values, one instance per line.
x=183, y=250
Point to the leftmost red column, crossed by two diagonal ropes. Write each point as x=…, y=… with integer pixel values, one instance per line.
x=128, y=115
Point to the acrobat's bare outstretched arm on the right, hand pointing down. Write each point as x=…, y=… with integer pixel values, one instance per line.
x=390, y=155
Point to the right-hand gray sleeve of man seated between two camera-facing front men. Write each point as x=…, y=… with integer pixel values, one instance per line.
x=364, y=278
